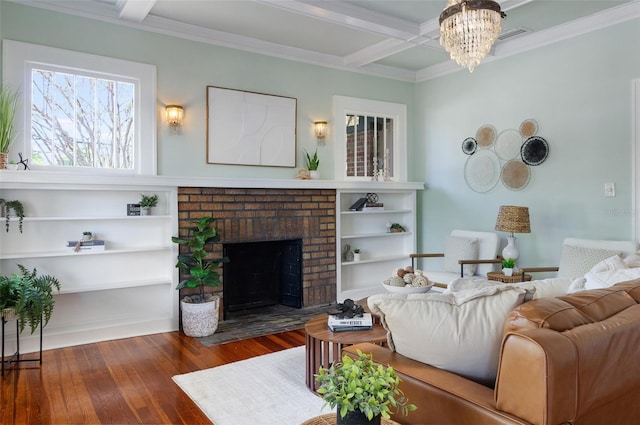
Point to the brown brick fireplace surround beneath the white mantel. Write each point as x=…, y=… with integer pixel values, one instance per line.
x=253, y=215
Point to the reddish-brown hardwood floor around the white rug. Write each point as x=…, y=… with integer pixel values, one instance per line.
x=125, y=381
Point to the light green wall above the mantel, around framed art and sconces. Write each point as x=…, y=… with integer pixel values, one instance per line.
x=185, y=68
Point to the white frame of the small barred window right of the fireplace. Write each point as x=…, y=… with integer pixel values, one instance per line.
x=343, y=106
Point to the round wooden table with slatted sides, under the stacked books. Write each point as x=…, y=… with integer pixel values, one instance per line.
x=324, y=347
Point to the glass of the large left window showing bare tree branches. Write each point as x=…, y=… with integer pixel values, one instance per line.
x=81, y=121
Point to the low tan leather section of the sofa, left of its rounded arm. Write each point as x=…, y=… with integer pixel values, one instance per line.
x=441, y=397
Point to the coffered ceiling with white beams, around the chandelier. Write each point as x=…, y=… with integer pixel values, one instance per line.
x=393, y=38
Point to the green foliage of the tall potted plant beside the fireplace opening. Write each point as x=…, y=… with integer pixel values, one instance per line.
x=200, y=271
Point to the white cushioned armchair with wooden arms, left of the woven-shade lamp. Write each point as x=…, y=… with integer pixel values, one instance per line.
x=466, y=253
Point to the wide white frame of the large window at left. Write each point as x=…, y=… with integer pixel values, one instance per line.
x=18, y=61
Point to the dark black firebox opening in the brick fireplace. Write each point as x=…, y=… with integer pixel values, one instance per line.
x=261, y=274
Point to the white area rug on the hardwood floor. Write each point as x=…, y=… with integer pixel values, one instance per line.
x=264, y=390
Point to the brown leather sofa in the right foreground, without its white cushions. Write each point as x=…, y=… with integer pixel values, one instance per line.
x=567, y=360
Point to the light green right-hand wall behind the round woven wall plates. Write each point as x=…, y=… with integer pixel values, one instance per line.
x=579, y=91
